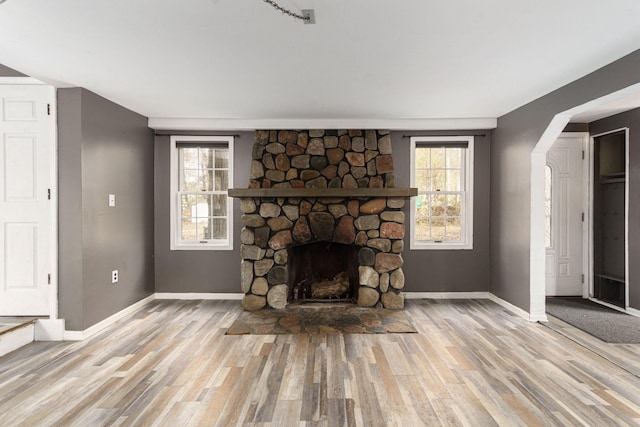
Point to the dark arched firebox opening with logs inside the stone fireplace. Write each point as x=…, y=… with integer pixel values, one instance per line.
x=323, y=272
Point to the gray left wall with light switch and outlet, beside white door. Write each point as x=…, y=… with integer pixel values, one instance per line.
x=103, y=149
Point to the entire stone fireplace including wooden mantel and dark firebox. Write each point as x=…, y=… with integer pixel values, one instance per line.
x=322, y=220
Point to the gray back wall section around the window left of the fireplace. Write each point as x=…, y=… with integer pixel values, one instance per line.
x=197, y=271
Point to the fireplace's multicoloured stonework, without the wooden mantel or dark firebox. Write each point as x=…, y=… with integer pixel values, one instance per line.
x=318, y=159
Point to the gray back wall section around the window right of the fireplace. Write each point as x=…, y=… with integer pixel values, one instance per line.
x=448, y=270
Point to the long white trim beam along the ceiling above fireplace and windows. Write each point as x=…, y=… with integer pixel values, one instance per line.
x=177, y=124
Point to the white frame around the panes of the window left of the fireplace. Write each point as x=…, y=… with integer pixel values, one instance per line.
x=174, y=227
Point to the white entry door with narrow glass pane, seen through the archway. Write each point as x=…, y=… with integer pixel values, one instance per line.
x=564, y=191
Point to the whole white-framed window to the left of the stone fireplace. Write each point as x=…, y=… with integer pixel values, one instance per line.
x=201, y=174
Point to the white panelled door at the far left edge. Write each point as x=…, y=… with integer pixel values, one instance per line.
x=27, y=151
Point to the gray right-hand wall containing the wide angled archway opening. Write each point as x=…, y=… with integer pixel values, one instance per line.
x=512, y=142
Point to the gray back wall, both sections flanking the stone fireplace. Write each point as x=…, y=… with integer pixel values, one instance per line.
x=219, y=271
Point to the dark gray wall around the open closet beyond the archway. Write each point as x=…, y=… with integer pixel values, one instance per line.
x=631, y=120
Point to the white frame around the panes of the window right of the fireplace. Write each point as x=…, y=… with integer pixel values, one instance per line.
x=467, y=213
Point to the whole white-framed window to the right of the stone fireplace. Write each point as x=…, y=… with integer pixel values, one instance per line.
x=442, y=170
